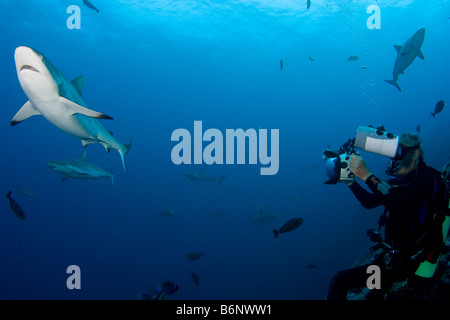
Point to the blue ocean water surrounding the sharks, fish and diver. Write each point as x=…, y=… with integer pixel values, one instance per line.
x=157, y=66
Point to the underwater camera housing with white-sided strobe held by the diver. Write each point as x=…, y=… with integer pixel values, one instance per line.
x=375, y=140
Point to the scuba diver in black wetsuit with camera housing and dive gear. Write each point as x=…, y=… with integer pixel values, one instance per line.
x=416, y=206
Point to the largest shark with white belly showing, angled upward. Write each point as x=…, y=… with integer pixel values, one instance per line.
x=59, y=100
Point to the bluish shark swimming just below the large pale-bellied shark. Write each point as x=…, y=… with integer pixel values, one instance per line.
x=79, y=169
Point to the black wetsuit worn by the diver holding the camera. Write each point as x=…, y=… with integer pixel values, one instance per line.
x=408, y=196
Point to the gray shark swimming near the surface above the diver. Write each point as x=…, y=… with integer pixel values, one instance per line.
x=406, y=55
